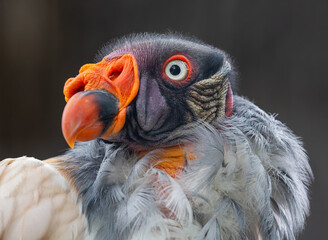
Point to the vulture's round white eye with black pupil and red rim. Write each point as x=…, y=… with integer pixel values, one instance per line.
x=177, y=68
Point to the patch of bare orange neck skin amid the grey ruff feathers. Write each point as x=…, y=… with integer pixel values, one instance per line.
x=172, y=160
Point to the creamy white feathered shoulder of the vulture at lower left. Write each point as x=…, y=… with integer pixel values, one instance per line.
x=37, y=202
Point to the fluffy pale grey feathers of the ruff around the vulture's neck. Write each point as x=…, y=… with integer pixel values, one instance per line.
x=250, y=181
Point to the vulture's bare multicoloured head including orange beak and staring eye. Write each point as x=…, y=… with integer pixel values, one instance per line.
x=148, y=91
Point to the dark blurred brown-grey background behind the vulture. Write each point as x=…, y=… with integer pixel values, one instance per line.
x=279, y=47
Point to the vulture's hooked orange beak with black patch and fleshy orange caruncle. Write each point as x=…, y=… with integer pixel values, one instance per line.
x=97, y=99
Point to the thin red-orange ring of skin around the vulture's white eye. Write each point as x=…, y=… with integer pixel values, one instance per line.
x=177, y=58
